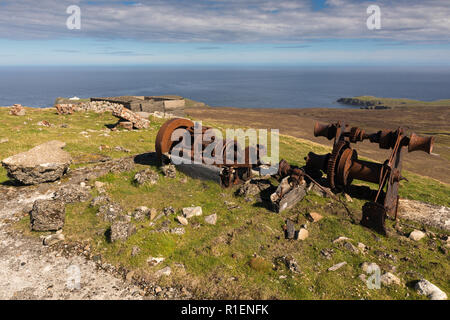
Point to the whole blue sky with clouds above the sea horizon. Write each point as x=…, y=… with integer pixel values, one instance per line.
x=225, y=32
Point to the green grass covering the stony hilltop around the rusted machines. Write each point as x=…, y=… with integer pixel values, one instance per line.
x=219, y=260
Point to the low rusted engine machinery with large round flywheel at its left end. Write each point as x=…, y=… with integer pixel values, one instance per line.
x=234, y=172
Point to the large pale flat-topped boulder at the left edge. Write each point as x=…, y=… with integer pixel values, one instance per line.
x=44, y=163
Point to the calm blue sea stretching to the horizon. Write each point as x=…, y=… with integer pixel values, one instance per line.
x=220, y=86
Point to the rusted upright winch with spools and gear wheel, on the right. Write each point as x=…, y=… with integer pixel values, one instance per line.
x=342, y=166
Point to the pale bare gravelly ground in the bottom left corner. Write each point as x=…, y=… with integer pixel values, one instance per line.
x=30, y=270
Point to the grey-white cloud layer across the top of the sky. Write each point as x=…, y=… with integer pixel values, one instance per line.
x=226, y=21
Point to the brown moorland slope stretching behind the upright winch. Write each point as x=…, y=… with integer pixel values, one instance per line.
x=299, y=123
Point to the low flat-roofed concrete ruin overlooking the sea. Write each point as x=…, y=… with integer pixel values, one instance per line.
x=165, y=104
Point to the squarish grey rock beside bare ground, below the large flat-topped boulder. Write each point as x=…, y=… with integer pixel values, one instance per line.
x=47, y=215
